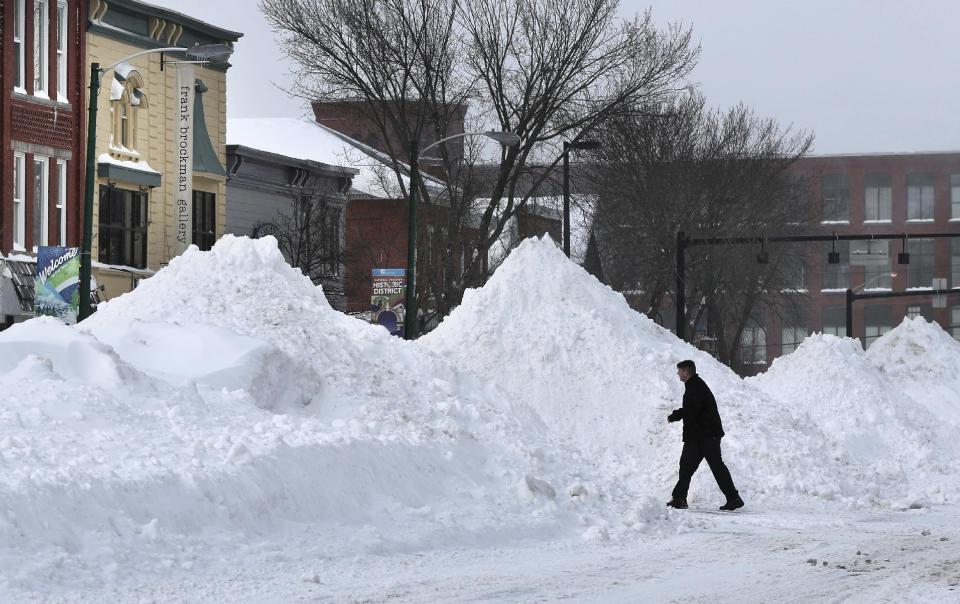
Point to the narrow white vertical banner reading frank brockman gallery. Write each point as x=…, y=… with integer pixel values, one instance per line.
x=183, y=149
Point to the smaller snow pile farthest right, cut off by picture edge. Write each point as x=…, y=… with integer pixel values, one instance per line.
x=924, y=361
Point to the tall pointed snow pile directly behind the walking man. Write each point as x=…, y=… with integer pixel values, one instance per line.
x=604, y=377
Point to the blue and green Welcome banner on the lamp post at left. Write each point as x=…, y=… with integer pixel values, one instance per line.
x=56, y=287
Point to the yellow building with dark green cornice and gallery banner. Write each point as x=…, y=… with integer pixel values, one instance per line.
x=143, y=181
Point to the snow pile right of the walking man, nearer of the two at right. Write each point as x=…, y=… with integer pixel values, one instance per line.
x=895, y=450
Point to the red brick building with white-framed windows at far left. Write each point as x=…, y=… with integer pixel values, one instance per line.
x=41, y=155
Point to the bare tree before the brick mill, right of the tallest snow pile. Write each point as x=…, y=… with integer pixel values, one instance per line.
x=680, y=166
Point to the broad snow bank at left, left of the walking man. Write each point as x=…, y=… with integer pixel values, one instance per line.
x=224, y=405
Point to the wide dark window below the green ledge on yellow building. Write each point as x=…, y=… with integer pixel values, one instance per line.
x=123, y=227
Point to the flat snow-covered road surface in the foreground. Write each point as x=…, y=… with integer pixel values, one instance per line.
x=766, y=555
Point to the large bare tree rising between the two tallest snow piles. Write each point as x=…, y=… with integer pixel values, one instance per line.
x=545, y=69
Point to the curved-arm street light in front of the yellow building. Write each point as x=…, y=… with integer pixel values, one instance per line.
x=205, y=54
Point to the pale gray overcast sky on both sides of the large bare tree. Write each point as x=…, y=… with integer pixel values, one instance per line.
x=863, y=75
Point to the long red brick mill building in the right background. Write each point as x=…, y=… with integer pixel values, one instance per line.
x=910, y=193
